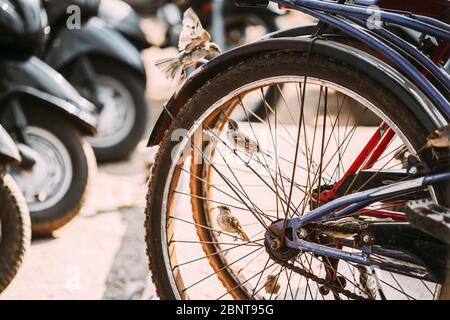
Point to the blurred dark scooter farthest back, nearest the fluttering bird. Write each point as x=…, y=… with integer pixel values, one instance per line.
x=104, y=67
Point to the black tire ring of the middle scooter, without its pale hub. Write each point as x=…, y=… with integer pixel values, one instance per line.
x=84, y=166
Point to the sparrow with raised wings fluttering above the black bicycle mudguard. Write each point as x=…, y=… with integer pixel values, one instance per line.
x=194, y=44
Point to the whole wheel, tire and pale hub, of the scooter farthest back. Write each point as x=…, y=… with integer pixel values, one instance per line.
x=124, y=114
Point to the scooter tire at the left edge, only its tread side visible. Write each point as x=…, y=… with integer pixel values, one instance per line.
x=15, y=230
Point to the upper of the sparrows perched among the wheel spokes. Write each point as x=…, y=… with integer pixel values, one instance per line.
x=241, y=142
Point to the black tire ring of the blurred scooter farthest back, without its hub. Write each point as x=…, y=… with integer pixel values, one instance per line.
x=135, y=85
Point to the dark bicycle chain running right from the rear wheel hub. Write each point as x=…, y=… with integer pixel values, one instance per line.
x=327, y=283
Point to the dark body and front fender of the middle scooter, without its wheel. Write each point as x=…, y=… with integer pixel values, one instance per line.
x=24, y=76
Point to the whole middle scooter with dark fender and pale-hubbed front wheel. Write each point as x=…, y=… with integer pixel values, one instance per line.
x=47, y=119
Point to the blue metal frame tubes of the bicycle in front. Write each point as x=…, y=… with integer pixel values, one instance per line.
x=344, y=17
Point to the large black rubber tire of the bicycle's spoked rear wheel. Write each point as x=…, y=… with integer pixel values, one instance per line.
x=255, y=68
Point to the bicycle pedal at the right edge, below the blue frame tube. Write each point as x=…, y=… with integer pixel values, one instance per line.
x=430, y=217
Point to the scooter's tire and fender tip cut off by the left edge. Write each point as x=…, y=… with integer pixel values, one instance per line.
x=15, y=232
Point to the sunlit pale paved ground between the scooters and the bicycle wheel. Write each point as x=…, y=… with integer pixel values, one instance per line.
x=101, y=253
